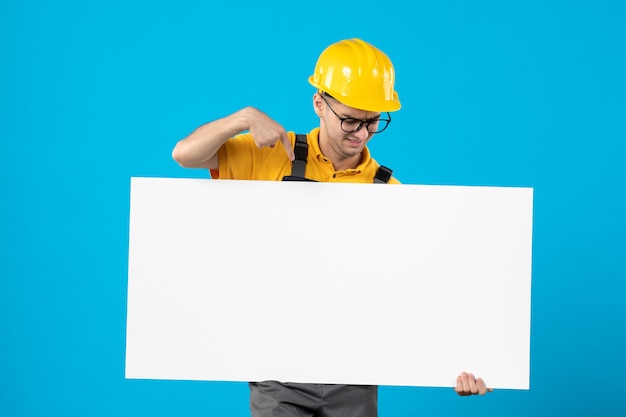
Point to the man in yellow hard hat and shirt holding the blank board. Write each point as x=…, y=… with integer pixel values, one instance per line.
x=354, y=84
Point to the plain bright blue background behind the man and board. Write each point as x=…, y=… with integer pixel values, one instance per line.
x=513, y=93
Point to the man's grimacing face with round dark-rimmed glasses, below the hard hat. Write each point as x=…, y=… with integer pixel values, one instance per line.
x=334, y=140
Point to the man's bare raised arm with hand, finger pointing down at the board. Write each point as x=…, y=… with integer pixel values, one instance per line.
x=199, y=149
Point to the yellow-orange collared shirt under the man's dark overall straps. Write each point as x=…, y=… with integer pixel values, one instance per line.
x=241, y=159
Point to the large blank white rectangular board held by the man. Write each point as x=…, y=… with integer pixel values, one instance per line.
x=328, y=283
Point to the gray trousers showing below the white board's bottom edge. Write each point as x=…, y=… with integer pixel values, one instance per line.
x=276, y=399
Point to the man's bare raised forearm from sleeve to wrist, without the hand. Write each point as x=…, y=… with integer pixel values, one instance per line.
x=199, y=149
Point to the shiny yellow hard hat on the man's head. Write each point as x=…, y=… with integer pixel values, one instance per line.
x=358, y=75
